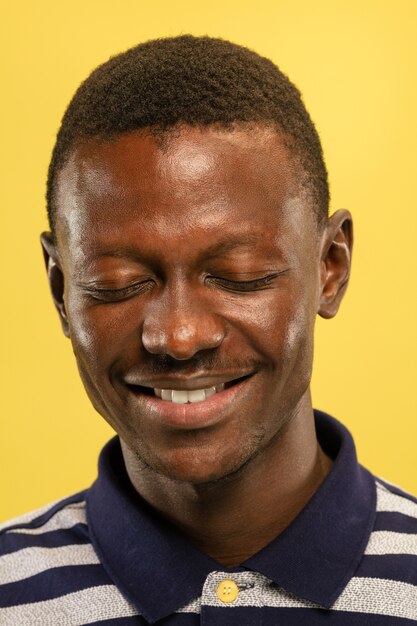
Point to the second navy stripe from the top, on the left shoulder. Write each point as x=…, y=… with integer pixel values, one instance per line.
x=12, y=542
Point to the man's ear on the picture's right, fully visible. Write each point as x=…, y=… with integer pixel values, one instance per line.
x=335, y=262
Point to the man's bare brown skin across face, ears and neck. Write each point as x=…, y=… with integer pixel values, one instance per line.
x=185, y=227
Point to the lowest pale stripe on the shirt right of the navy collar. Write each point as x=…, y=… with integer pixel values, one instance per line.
x=379, y=596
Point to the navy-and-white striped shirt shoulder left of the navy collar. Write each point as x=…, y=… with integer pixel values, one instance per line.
x=50, y=572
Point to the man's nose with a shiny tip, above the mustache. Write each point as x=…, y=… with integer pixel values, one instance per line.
x=180, y=324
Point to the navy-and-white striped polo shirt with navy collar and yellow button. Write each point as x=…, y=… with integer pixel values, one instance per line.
x=104, y=557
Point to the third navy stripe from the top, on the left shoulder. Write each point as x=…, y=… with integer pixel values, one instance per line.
x=53, y=584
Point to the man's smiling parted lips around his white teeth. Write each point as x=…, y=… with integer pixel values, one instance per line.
x=191, y=416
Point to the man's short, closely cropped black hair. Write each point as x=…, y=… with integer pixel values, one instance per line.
x=199, y=81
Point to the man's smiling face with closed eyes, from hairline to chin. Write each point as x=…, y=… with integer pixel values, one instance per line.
x=190, y=265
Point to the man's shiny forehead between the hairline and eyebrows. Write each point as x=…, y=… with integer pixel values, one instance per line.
x=205, y=179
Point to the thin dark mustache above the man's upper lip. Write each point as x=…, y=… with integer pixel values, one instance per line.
x=164, y=364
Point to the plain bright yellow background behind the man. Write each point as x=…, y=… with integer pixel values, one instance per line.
x=355, y=62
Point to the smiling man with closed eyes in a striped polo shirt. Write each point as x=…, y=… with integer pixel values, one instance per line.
x=189, y=254
